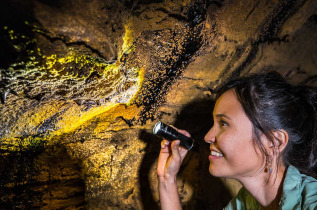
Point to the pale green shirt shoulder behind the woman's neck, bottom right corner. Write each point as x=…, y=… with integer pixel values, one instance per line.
x=299, y=190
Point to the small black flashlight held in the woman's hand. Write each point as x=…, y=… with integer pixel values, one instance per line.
x=170, y=134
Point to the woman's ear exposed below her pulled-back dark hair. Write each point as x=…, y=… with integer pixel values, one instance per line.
x=280, y=141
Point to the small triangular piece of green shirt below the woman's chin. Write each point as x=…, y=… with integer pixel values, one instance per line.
x=243, y=200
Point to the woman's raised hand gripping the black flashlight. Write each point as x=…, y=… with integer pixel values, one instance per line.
x=171, y=158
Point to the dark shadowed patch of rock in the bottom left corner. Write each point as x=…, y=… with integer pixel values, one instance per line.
x=41, y=178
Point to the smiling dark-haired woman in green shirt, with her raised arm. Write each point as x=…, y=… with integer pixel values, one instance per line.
x=264, y=135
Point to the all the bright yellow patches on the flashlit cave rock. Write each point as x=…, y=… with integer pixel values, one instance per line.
x=73, y=116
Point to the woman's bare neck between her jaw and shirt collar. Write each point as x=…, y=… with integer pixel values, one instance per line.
x=266, y=188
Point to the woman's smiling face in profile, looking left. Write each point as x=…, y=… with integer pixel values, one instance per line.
x=233, y=153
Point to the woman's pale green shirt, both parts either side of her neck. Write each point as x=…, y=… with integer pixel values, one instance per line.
x=299, y=192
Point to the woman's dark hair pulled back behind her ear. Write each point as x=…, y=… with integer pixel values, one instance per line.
x=271, y=103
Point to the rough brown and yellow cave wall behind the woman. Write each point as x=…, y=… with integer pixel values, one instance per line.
x=83, y=82
